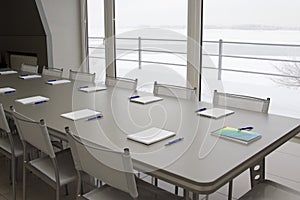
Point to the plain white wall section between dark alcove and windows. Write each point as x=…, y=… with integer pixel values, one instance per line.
x=64, y=21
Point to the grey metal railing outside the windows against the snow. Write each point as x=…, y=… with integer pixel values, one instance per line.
x=220, y=55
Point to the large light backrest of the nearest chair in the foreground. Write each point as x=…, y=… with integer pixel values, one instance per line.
x=111, y=167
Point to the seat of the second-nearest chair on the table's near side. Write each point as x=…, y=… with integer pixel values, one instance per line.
x=67, y=172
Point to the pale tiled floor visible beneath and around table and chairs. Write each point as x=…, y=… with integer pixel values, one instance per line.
x=282, y=166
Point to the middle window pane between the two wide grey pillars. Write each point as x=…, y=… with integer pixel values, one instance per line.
x=151, y=41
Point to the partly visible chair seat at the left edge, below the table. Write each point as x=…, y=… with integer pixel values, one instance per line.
x=5, y=145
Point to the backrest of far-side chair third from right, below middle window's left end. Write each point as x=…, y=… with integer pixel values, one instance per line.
x=119, y=82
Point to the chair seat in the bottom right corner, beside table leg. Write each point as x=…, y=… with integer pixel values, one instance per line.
x=269, y=190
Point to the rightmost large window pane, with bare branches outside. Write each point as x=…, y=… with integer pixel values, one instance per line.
x=252, y=48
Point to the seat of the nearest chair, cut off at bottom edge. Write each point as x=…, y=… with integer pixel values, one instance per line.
x=146, y=191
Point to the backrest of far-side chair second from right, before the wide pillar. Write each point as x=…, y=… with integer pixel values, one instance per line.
x=174, y=91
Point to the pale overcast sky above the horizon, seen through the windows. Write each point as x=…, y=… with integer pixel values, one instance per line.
x=157, y=13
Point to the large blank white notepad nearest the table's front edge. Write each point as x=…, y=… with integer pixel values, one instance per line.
x=151, y=135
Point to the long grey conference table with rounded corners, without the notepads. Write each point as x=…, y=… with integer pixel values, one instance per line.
x=201, y=163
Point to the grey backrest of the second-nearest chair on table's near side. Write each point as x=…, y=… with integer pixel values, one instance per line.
x=34, y=133
